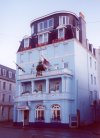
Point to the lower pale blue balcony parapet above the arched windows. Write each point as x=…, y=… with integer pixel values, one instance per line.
x=44, y=96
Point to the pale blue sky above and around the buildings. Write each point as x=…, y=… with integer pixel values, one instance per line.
x=16, y=15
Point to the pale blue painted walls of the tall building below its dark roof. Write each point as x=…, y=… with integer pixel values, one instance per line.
x=65, y=88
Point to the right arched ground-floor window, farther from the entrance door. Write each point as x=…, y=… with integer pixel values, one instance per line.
x=56, y=112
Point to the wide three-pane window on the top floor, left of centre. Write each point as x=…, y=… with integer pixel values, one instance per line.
x=45, y=25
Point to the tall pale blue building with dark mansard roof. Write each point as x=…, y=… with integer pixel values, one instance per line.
x=56, y=75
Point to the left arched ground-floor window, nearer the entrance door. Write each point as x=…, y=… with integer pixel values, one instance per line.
x=40, y=113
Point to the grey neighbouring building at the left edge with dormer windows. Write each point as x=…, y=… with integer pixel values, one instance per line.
x=7, y=90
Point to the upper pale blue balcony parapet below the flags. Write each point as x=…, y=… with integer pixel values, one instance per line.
x=46, y=74
